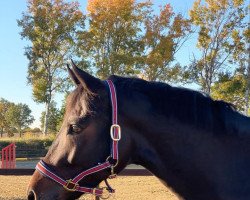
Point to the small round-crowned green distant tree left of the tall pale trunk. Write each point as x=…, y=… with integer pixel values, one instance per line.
x=19, y=117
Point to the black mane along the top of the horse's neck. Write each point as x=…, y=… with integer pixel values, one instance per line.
x=188, y=106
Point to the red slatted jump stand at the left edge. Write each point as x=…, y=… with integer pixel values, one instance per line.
x=8, y=157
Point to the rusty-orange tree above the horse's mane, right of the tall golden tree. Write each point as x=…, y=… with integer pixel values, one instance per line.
x=165, y=34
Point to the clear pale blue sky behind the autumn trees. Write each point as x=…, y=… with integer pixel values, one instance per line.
x=13, y=63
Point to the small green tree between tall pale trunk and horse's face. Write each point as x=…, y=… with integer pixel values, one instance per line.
x=54, y=118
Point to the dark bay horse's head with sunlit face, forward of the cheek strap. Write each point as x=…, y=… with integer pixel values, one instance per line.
x=82, y=146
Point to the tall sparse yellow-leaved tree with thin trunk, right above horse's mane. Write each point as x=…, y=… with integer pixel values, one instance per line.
x=216, y=21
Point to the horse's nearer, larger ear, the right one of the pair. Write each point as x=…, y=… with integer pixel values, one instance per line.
x=88, y=81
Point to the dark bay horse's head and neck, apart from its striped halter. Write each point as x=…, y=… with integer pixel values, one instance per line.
x=198, y=147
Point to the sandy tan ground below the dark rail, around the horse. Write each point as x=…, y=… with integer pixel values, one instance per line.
x=132, y=188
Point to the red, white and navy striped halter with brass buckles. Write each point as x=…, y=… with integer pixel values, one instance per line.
x=111, y=162
